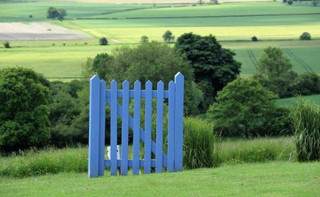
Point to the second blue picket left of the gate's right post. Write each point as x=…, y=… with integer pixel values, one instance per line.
x=159, y=130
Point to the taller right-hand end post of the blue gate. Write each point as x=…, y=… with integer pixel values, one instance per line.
x=178, y=125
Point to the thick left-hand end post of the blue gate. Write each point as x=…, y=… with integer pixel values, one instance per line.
x=93, y=165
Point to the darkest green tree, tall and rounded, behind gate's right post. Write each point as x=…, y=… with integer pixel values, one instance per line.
x=213, y=65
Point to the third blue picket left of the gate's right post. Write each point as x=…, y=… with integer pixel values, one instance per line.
x=148, y=127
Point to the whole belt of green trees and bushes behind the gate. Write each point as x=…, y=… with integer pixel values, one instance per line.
x=36, y=112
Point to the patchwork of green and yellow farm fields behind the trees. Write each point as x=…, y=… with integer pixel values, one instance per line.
x=275, y=24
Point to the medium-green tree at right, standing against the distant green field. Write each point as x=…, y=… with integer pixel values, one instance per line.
x=275, y=72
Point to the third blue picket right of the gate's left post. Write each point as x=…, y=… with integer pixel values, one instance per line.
x=125, y=128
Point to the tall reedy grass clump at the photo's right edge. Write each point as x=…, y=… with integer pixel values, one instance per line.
x=306, y=125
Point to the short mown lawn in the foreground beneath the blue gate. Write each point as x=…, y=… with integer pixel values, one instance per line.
x=271, y=179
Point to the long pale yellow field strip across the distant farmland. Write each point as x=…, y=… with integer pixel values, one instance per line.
x=132, y=35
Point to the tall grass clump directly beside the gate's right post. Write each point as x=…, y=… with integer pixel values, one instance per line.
x=198, y=143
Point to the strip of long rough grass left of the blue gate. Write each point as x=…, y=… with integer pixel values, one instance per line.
x=47, y=161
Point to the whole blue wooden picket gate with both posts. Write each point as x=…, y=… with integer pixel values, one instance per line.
x=99, y=96
